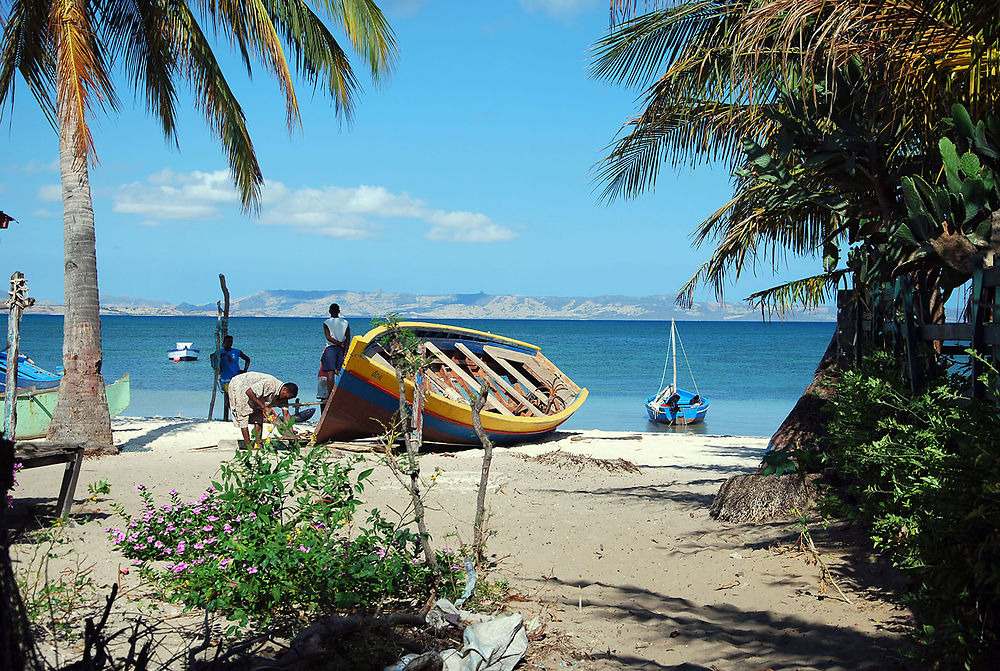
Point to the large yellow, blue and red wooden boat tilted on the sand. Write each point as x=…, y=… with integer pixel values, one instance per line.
x=529, y=396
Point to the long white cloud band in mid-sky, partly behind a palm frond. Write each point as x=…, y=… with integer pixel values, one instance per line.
x=350, y=213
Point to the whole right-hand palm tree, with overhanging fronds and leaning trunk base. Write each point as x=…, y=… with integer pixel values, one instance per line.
x=820, y=108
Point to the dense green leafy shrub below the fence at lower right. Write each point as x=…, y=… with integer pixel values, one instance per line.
x=924, y=473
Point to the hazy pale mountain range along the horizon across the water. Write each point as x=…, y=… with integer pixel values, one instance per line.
x=289, y=303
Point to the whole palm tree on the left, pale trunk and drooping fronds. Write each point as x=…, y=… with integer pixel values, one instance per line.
x=64, y=51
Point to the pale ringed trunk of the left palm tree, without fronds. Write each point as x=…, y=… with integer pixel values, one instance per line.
x=81, y=415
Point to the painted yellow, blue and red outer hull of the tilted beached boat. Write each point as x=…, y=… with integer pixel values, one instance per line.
x=366, y=398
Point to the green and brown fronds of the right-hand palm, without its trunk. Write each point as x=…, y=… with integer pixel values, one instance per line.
x=719, y=73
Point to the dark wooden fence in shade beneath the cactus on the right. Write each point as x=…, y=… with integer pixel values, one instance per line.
x=898, y=317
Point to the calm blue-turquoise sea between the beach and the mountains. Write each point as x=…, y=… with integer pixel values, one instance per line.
x=752, y=372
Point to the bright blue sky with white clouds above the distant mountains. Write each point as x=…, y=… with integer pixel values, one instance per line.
x=470, y=169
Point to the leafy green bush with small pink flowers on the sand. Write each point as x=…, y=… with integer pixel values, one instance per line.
x=275, y=535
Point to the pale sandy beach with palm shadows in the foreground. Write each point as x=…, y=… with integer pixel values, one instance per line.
x=626, y=570
